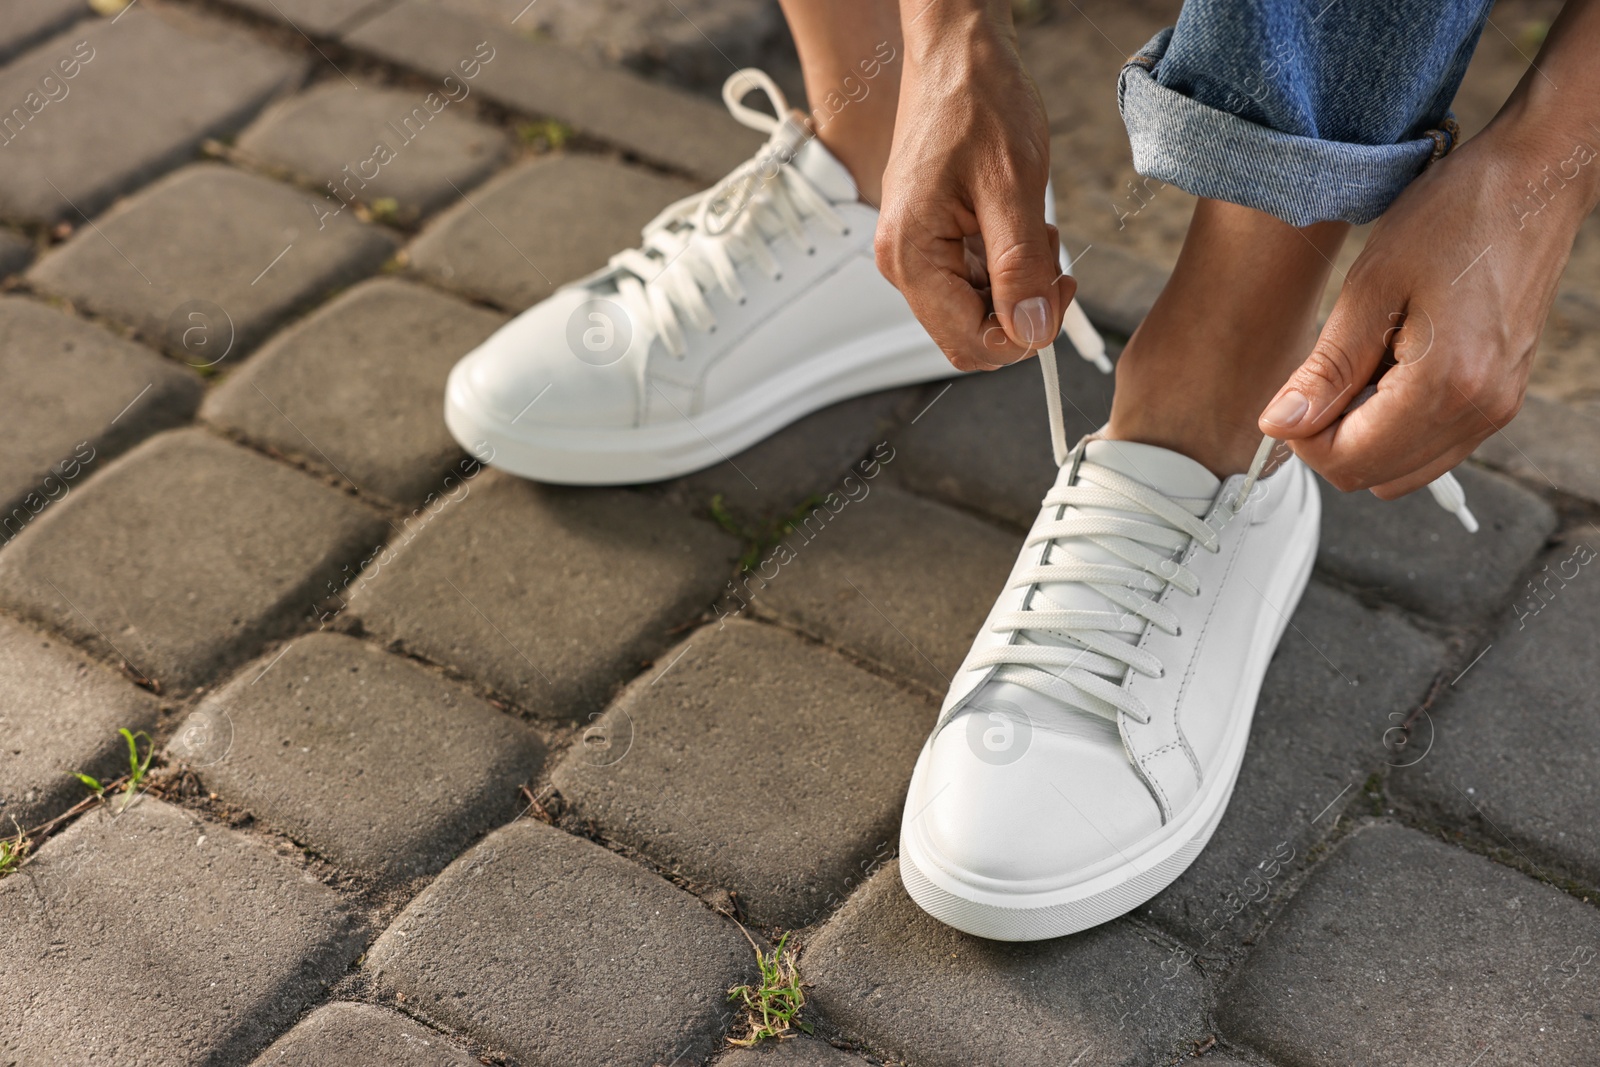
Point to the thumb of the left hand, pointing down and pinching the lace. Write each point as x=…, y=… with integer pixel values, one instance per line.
x=1025, y=273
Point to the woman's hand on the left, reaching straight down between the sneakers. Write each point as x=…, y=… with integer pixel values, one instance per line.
x=962, y=231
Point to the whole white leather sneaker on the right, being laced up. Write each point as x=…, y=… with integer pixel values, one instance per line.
x=1094, y=735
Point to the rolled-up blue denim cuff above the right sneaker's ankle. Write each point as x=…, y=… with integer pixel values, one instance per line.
x=1220, y=156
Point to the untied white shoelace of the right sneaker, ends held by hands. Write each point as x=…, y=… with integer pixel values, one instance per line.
x=1076, y=657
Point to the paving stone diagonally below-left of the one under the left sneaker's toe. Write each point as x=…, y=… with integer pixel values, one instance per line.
x=372, y=761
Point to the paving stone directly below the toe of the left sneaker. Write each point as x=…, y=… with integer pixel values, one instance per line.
x=550, y=597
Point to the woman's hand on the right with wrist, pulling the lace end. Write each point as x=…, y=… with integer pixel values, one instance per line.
x=1452, y=292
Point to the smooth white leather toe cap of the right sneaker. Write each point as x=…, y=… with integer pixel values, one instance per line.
x=1030, y=804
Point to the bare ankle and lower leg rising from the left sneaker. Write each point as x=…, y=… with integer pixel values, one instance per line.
x=839, y=42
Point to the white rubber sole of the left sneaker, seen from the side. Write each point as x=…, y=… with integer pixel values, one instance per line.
x=902, y=356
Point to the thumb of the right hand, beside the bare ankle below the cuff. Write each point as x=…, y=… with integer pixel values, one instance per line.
x=1338, y=369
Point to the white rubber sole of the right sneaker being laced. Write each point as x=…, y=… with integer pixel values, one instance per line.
x=999, y=916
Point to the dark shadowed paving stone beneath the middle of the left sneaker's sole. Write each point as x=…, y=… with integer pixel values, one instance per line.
x=809, y=458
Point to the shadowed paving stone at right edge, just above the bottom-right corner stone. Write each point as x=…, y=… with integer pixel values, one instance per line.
x=1518, y=735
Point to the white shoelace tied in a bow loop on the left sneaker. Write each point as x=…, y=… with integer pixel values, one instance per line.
x=705, y=241
